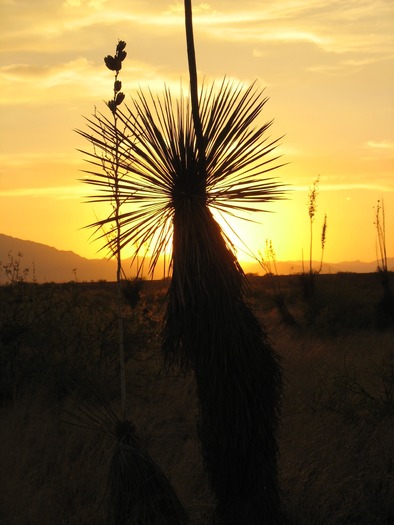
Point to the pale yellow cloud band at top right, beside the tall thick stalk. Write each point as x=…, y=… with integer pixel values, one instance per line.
x=360, y=27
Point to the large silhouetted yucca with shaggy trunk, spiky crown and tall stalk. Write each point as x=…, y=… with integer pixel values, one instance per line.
x=182, y=159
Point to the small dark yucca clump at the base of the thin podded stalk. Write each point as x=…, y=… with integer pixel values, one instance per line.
x=139, y=493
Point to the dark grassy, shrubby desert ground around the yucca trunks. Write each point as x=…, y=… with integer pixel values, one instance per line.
x=58, y=356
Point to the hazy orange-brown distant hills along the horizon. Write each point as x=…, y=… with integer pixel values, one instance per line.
x=47, y=264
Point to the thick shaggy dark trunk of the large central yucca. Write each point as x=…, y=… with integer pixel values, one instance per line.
x=210, y=328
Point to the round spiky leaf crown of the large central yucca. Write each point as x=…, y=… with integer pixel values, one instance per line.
x=158, y=164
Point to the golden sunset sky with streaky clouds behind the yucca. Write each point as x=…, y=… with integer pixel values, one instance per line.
x=327, y=68
